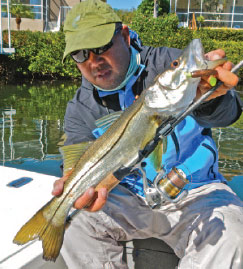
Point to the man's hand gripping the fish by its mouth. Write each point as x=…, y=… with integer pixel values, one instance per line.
x=229, y=79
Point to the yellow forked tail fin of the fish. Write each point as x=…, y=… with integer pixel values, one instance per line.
x=50, y=234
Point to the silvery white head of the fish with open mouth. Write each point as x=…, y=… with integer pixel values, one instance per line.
x=175, y=89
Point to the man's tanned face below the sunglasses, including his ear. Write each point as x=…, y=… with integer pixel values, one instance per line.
x=109, y=69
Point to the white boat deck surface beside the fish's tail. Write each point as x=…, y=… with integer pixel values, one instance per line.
x=16, y=210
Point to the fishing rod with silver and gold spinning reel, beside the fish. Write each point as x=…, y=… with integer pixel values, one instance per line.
x=166, y=187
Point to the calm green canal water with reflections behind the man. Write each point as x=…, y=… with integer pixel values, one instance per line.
x=31, y=125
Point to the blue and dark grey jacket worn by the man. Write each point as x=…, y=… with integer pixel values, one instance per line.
x=190, y=147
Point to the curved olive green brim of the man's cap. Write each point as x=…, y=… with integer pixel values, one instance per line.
x=94, y=37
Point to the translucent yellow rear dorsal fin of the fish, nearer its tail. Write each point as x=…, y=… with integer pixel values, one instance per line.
x=72, y=153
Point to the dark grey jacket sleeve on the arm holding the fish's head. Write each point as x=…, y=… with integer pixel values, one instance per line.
x=219, y=112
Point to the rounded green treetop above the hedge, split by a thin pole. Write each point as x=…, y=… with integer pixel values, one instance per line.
x=147, y=7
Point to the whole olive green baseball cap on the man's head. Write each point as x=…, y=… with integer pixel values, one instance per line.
x=89, y=24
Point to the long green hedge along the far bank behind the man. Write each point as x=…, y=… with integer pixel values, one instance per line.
x=39, y=55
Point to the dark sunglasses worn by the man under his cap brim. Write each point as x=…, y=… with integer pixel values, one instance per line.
x=81, y=56
